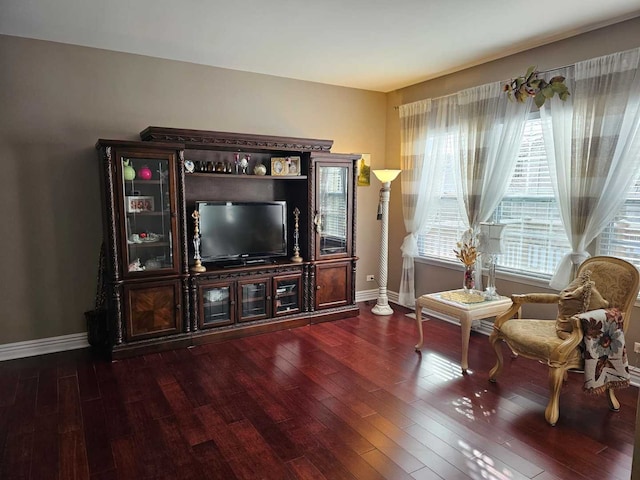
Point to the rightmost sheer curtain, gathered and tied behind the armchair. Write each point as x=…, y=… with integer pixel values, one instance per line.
x=593, y=148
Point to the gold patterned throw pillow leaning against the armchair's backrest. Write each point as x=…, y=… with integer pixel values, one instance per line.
x=580, y=296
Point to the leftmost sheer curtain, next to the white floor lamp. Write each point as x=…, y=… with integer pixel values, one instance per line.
x=423, y=148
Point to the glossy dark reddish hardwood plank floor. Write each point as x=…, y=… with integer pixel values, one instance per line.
x=340, y=400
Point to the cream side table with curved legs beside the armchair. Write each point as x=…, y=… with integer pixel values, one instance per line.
x=452, y=303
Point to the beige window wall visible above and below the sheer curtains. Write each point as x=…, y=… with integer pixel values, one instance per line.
x=615, y=38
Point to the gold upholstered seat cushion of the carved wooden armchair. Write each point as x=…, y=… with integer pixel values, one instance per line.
x=533, y=338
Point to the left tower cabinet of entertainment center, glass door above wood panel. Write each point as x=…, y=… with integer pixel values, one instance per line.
x=144, y=259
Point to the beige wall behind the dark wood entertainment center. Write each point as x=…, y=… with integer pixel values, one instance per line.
x=57, y=100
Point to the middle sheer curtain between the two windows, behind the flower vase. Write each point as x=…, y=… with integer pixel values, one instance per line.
x=490, y=131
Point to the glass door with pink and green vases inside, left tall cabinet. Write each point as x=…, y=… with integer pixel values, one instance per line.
x=149, y=225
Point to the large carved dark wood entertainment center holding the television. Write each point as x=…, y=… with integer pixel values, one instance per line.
x=214, y=235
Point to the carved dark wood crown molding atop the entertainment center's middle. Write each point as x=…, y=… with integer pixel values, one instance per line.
x=234, y=141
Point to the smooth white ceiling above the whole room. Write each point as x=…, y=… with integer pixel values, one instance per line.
x=376, y=45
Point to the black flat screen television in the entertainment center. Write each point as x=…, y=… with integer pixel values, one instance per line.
x=242, y=231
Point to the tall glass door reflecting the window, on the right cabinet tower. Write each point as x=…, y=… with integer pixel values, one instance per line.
x=333, y=214
